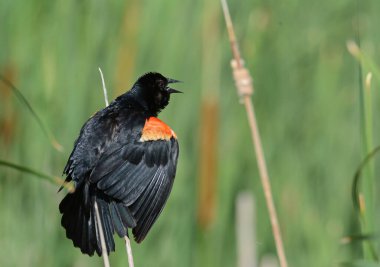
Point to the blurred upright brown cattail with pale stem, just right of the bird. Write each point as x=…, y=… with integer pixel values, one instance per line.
x=209, y=117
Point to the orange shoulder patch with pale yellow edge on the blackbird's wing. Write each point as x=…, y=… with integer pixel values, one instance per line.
x=155, y=129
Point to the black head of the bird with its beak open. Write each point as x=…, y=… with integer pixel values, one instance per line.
x=152, y=91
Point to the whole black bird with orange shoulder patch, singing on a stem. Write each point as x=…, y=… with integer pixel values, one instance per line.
x=125, y=159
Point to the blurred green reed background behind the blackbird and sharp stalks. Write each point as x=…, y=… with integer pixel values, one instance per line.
x=307, y=102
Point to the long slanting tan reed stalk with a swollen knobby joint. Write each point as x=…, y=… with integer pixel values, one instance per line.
x=244, y=86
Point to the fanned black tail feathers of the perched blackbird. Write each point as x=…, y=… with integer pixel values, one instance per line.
x=79, y=219
